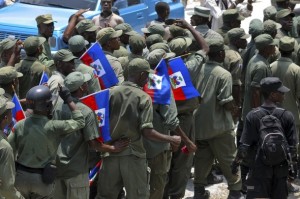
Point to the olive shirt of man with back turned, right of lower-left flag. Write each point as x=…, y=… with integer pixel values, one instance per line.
x=130, y=112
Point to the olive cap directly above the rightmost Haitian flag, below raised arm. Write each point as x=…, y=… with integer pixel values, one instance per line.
x=180, y=44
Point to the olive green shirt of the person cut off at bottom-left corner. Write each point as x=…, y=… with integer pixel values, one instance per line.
x=8, y=170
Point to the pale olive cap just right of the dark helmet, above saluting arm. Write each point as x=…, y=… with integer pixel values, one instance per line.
x=76, y=79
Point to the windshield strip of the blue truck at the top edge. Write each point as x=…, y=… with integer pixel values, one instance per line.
x=71, y=4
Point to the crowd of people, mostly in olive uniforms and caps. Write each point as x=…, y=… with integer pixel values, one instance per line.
x=253, y=86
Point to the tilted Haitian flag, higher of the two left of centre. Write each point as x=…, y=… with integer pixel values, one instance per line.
x=95, y=57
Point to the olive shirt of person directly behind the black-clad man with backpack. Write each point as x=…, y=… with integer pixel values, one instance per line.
x=257, y=69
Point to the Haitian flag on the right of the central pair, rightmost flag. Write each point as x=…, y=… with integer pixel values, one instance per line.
x=182, y=85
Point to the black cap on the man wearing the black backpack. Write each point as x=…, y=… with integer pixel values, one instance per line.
x=273, y=84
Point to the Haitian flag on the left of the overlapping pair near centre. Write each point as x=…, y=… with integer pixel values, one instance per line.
x=158, y=86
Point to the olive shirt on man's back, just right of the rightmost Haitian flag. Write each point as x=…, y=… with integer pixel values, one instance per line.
x=215, y=86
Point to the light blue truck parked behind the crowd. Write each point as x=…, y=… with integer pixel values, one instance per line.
x=19, y=18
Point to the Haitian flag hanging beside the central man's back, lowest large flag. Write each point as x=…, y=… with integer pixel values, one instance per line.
x=99, y=102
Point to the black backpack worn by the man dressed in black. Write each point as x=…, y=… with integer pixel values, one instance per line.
x=272, y=146
